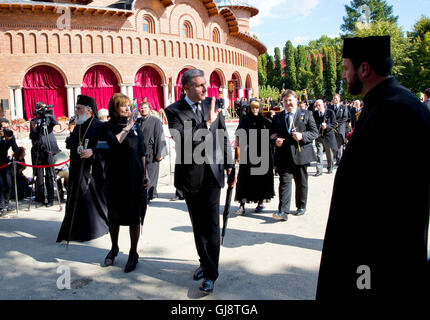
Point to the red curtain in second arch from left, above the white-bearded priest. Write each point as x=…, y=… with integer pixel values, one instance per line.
x=101, y=84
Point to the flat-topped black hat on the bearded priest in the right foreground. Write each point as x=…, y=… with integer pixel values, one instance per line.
x=369, y=48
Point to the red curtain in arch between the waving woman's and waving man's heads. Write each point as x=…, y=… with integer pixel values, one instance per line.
x=147, y=84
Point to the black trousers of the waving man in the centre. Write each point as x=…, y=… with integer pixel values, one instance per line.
x=203, y=207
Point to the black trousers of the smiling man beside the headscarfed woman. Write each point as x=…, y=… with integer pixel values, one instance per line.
x=300, y=176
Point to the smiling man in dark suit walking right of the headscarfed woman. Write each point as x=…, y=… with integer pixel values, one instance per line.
x=294, y=130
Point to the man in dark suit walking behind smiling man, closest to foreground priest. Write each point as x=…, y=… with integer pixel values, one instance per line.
x=325, y=120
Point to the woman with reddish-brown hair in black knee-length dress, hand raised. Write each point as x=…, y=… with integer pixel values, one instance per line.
x=126, y=177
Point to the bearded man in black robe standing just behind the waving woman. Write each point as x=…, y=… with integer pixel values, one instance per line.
x=155, y=145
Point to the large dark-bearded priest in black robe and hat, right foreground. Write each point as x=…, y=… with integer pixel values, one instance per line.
x=375, y=245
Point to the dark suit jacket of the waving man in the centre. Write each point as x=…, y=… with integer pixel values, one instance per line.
x=189, y=174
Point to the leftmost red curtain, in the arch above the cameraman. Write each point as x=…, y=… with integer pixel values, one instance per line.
x=44, y=84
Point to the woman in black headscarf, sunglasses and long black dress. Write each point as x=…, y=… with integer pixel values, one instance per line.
x=249, y=187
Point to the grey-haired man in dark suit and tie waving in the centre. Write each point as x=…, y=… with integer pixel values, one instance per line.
x=203, y=152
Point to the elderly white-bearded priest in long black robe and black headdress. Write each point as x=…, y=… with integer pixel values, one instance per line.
x=86, y=210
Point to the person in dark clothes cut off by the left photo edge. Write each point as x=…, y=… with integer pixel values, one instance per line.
x=7, y=141
